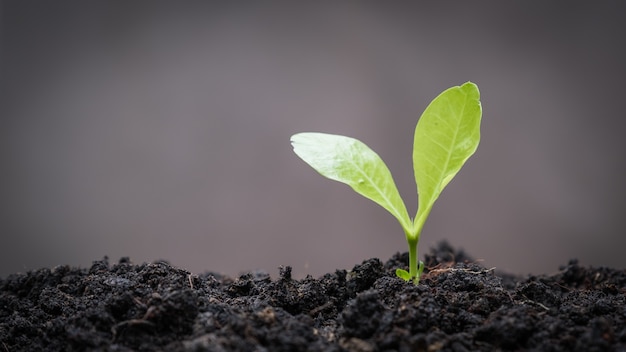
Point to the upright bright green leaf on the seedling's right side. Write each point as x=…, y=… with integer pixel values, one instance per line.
x=447, y=134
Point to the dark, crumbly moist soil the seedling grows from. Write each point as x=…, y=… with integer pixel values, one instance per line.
x=458, y=305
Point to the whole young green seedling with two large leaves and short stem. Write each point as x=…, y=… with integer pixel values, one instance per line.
x=446, y=135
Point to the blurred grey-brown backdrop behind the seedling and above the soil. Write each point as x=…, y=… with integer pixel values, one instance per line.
x=160, y=130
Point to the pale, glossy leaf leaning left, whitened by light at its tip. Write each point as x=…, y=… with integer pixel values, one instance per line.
x=350, y=161
